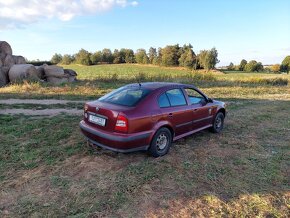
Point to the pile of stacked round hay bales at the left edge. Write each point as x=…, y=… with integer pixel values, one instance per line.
x=14, y=69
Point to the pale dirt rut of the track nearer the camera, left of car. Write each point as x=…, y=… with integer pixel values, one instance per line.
x=45, y=112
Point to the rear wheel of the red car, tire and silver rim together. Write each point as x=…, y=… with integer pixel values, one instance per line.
x=161, y=142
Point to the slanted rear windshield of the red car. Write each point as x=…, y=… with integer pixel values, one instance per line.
x=125, y=96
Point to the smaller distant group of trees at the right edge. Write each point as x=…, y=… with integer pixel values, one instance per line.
x=253, y=65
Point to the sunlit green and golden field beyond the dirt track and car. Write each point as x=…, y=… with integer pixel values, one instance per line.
x=98, y=80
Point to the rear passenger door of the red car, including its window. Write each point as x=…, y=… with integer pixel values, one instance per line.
x=175, y=109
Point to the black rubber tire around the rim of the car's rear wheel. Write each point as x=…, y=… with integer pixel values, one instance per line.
x=153, y=148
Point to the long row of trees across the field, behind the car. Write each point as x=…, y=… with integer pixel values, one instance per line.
x=170, y=55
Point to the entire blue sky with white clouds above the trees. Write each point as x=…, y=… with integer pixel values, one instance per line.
x=238, y=29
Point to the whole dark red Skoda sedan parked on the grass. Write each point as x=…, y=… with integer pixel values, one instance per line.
x=149, y=116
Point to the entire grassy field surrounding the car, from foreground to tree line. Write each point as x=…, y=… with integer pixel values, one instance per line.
x=46, y=169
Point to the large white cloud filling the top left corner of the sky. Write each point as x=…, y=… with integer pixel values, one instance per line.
x=16, y=13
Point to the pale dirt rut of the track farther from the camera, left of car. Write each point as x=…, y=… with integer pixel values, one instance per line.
x=37, y=101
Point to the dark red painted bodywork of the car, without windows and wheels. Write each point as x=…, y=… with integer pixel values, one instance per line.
x=147, y=117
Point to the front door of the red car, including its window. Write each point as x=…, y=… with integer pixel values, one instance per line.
x=201, y=110
